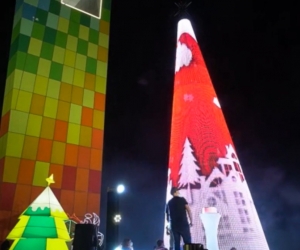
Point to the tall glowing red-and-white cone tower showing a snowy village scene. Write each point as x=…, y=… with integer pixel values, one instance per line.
x=203, y=160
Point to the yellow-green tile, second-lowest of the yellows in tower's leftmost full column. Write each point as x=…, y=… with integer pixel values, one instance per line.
x=14, y=144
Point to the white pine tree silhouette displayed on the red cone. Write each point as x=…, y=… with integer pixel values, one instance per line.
x=188, y=171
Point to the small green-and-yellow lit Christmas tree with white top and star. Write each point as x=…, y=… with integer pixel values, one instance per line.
x=41, y=226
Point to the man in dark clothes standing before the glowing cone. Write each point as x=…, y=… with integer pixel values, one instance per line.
x=176, y=211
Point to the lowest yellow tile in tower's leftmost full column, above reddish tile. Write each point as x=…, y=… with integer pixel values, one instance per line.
x=11, y=169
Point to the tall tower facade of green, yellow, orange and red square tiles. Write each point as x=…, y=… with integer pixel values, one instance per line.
x=53, y=110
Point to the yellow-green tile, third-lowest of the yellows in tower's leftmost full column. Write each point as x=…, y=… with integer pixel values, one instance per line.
x=18, y=122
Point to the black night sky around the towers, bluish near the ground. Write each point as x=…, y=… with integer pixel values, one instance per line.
x=253, y=55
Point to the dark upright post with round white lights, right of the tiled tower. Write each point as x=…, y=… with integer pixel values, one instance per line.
x=113, y=217
